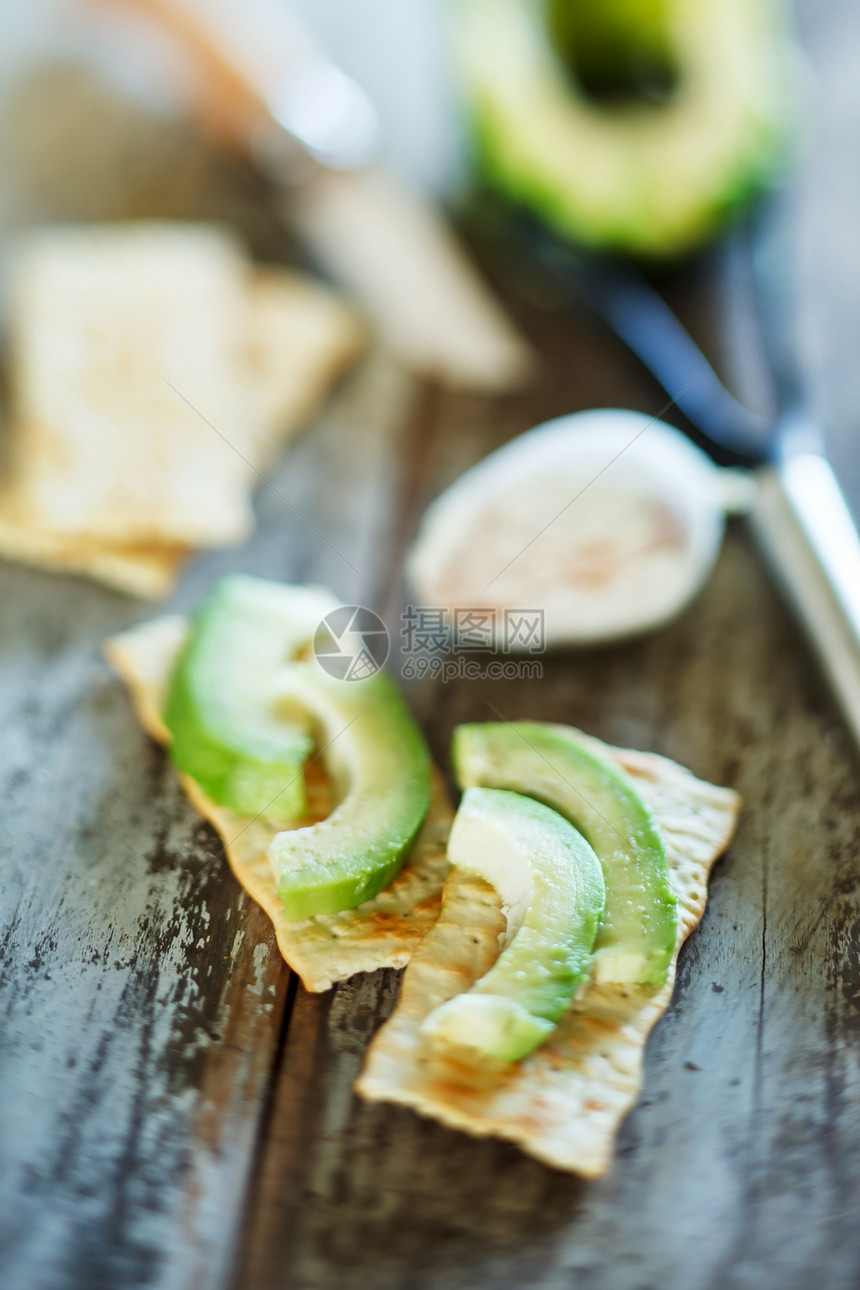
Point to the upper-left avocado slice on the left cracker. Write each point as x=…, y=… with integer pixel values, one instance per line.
x=225, y=724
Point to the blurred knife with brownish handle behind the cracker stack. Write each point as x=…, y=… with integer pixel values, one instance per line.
x=262, y=84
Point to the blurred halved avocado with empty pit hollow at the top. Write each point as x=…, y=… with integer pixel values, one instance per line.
x=636, y=126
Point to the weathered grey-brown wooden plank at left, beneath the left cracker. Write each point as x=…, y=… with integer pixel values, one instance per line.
x=142, y=1007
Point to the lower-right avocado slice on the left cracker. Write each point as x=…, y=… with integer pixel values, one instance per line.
x=382, y=772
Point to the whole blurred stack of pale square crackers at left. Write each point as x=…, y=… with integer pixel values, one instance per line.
x=155, y=373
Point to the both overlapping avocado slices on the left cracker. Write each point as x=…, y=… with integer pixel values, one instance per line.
x=247, y=708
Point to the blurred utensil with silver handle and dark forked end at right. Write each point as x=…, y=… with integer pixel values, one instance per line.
x=800, y=515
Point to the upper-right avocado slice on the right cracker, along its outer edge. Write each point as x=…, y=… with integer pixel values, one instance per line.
x=639, y=928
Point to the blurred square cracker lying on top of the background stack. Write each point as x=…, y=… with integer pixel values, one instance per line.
x=131, y=399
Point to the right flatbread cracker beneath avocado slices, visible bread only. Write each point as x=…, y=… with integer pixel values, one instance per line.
x=565, y=1104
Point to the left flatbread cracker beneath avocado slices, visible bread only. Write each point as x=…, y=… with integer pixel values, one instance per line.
x=384, y=932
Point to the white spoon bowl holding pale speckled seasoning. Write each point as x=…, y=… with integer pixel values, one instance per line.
x=608, y=522
